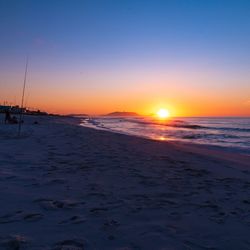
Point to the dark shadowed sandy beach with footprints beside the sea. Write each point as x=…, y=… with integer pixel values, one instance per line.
x=63, y=186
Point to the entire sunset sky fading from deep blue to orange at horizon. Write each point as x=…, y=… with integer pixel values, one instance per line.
x=191, y=57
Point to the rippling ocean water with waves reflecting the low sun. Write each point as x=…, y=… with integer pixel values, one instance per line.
x=229, y=132
